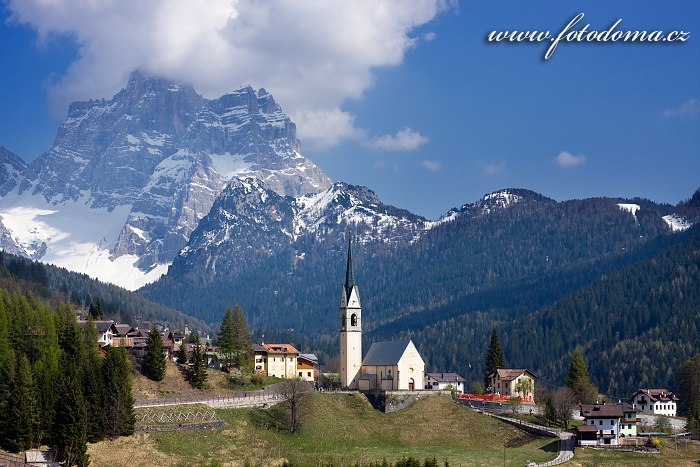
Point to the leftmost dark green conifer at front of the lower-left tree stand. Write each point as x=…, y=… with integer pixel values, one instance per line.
x=23, y=413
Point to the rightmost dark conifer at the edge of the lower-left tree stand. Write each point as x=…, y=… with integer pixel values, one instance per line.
x=116, y=374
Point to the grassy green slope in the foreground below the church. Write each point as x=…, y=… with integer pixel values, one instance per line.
x=340, y=429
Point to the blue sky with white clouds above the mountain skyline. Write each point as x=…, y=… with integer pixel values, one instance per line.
x=429, y=114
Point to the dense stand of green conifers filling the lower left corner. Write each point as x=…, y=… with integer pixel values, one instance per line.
x=56, y=387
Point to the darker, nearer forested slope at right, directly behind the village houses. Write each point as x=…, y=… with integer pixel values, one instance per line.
x=636, y=325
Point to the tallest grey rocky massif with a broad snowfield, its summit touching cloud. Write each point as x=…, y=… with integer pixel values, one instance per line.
x=128, y=179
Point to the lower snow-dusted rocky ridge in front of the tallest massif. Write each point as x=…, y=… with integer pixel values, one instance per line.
x=250, y=222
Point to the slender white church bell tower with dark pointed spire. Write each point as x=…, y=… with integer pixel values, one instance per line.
x=350, y=329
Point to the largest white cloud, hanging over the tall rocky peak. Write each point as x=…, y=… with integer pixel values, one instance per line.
x=312, y=56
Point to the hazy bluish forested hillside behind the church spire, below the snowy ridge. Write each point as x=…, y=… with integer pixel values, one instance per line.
x=485, y=248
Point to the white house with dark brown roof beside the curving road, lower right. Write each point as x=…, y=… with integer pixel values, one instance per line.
x=601, y=425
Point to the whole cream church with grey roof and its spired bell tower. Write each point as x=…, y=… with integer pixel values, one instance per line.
x=388, y=366
